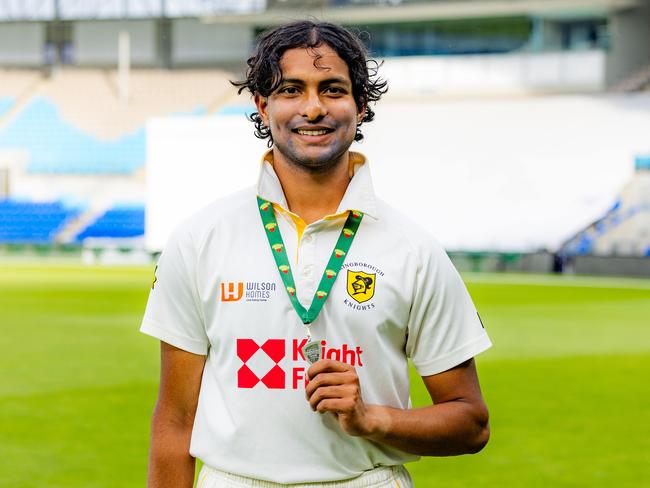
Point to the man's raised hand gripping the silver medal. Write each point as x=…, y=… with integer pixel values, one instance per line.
x=334, y=387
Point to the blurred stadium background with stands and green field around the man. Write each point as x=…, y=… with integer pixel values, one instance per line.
x=516, y=131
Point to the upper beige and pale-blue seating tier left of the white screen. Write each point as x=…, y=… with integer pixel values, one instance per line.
x=65, y=134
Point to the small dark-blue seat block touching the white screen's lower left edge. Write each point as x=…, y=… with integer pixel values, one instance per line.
x=118, y=222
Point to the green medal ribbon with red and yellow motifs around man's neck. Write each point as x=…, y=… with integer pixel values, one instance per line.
x=284, y=268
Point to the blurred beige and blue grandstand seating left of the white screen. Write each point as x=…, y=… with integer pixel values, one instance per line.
x=77, y=130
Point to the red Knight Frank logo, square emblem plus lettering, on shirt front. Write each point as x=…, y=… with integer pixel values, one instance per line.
x=261, y=363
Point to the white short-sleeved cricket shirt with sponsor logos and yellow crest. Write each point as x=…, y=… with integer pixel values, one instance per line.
x=218, y=292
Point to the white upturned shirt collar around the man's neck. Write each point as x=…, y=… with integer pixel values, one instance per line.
x=359, y=195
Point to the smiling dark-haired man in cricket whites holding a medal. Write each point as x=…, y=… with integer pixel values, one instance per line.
x=287, y=312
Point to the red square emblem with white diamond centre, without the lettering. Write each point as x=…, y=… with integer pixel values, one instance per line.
x=274, y=349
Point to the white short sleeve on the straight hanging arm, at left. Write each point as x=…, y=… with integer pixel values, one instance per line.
x=173, y=312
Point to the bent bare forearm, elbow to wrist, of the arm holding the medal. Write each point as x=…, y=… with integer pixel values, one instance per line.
x=446, y=429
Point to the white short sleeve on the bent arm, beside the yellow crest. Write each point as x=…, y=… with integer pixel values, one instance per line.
x=444, y=328
